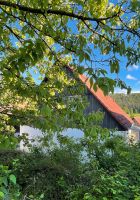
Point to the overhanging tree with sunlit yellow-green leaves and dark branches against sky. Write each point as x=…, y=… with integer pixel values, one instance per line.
x=49, y=35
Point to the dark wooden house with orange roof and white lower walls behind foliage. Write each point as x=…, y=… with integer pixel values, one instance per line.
x=115, y=118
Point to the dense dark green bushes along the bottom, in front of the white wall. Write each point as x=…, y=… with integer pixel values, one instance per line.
x=82, y=170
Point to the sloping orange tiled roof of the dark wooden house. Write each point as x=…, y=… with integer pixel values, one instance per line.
x=109, y=104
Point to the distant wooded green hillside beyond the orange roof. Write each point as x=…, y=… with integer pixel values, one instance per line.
x=130, y=103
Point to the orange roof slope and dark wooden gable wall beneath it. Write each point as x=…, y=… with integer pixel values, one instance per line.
x=114, y=116
